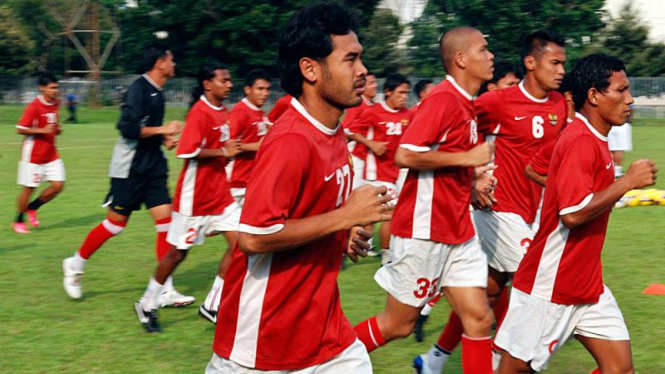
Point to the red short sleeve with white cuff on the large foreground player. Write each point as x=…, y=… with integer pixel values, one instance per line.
x=278, y=176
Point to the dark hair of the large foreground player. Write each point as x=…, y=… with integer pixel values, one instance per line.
x=308, y=34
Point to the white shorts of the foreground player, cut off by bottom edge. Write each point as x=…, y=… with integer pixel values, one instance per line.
x=353, y=360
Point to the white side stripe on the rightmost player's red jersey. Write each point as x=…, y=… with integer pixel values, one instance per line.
x=543, y=284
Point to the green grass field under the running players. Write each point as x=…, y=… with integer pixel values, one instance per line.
x=43, y=331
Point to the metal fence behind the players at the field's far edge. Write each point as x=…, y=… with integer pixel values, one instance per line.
x=649, y=92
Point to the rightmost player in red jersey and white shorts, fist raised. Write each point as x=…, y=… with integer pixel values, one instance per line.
x=558, y=290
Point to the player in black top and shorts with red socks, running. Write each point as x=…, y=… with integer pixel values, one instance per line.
x=138, y=171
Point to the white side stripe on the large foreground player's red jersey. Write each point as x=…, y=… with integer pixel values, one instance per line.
x=250, y=309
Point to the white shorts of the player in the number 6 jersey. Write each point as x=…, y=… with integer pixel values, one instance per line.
x=504, y=237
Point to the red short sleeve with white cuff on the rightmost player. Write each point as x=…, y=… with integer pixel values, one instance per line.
x=574, y=179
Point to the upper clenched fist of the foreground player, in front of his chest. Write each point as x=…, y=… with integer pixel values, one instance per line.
x=368, y=205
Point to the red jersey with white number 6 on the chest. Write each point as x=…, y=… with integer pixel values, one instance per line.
x=520, y=125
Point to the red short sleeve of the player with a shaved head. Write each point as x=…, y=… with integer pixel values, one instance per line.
x=436, y=115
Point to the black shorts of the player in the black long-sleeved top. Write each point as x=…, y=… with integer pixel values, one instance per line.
x=126, y=195
